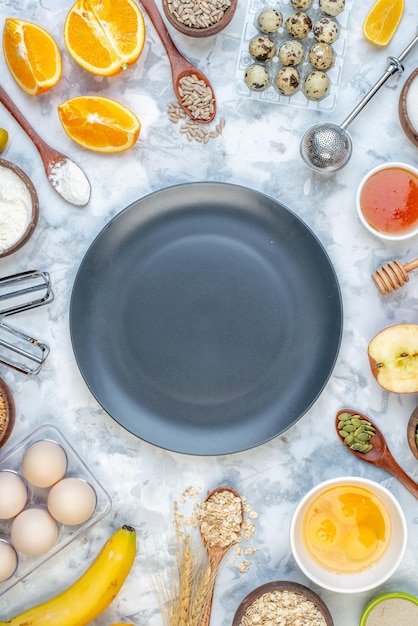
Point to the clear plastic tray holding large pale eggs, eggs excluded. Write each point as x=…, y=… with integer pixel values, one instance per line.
x=12, y=460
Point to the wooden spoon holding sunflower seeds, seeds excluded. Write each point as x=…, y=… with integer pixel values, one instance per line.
x=180, y=66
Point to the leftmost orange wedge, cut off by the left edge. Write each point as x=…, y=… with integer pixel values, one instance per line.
x=32, y=56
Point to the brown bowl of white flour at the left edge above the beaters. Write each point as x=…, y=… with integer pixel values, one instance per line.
x=19, y=208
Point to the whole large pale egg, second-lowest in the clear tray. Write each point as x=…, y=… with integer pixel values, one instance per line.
x=33, y=531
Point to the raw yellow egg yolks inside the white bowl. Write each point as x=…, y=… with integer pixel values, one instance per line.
x=346, y=529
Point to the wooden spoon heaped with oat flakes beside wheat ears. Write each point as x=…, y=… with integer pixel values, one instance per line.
x=221, y=522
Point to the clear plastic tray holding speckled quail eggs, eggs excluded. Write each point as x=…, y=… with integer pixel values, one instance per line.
x=271, y=93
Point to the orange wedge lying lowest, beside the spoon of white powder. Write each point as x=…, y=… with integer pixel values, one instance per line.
x=99, y=124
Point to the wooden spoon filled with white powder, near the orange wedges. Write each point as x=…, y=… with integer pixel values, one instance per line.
x=54, y=162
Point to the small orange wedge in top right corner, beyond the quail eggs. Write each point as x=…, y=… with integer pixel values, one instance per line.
x=382, y=21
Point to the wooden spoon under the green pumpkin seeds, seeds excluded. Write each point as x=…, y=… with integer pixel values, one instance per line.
x=380, y=454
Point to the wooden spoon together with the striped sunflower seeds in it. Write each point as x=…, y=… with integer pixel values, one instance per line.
x=181, y=70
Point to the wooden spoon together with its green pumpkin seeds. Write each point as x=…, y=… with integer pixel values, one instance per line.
x=379, y=453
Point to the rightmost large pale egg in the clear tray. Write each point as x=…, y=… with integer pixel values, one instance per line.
x=72, y=501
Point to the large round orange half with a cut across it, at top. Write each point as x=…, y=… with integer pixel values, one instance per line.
x=104, y=36
